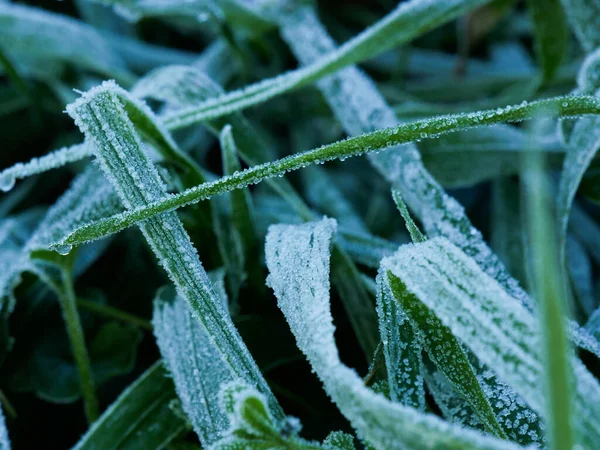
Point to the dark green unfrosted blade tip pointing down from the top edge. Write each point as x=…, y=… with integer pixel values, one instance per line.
x=550, y=33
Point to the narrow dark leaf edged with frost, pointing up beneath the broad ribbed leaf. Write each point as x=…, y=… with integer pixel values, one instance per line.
x=402, y=348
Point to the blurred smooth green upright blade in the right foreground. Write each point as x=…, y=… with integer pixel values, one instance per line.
x=550, y=291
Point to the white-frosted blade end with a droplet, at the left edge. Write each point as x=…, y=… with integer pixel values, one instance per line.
x=53, y=160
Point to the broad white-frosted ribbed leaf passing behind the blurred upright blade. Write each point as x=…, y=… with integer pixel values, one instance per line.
x=497, y=329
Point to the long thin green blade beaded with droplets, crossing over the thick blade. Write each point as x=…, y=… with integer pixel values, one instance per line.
x=371, y=142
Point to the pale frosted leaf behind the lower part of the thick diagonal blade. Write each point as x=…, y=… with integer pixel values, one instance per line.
x=194, y=362
